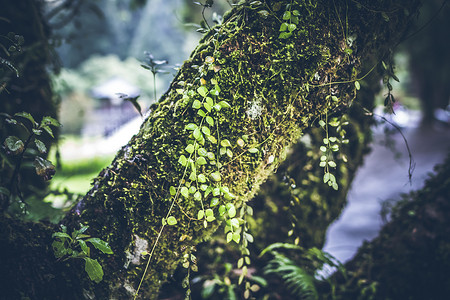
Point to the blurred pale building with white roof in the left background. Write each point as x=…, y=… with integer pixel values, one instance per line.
x=111, y=111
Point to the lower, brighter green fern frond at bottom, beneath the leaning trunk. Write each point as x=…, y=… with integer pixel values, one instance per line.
x=297, y=280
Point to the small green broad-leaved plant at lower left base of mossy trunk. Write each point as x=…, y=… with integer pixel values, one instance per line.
x=76, y=246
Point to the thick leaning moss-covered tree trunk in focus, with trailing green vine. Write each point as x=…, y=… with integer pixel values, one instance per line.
x=235, y=108
